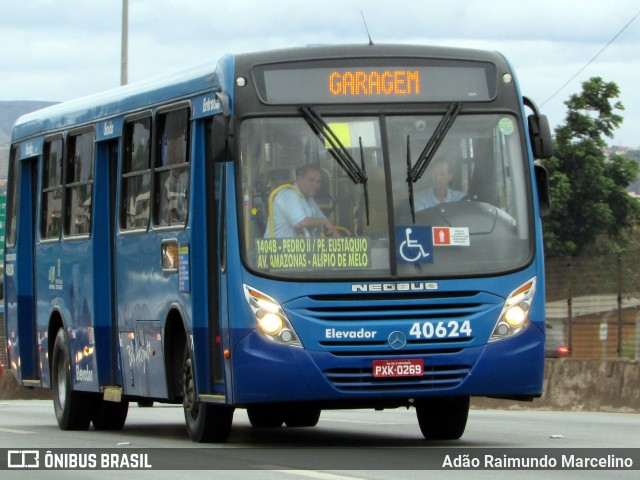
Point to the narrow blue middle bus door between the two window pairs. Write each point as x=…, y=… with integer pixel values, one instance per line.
x=105, y=326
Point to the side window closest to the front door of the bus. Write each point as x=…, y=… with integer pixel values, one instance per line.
x=172, y=168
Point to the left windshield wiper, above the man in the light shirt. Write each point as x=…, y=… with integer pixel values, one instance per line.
x=356, y=173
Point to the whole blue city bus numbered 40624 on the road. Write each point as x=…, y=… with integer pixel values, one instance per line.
x=146, y=260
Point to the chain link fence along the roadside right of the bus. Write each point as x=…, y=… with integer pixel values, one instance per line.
x=593, y=305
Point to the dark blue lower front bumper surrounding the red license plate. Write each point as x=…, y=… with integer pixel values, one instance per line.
x=266, y=373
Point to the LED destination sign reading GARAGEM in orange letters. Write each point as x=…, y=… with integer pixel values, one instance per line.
x=356, y=83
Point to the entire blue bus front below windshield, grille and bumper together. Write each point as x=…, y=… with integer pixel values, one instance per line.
x=339, y=369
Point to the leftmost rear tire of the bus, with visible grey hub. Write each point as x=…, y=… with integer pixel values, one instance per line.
x=73, y=409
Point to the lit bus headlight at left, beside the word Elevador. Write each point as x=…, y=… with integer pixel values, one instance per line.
x=271, y=321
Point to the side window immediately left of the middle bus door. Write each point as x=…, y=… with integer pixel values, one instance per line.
x=79, y=184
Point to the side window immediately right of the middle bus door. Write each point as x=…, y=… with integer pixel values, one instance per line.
x=136, y=175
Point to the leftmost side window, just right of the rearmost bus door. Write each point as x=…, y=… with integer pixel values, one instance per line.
x=52, y=188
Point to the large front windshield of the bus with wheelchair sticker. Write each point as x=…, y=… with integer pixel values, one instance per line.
x=305, y=216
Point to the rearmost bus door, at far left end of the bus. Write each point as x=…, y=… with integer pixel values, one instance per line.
x=21, y=301
